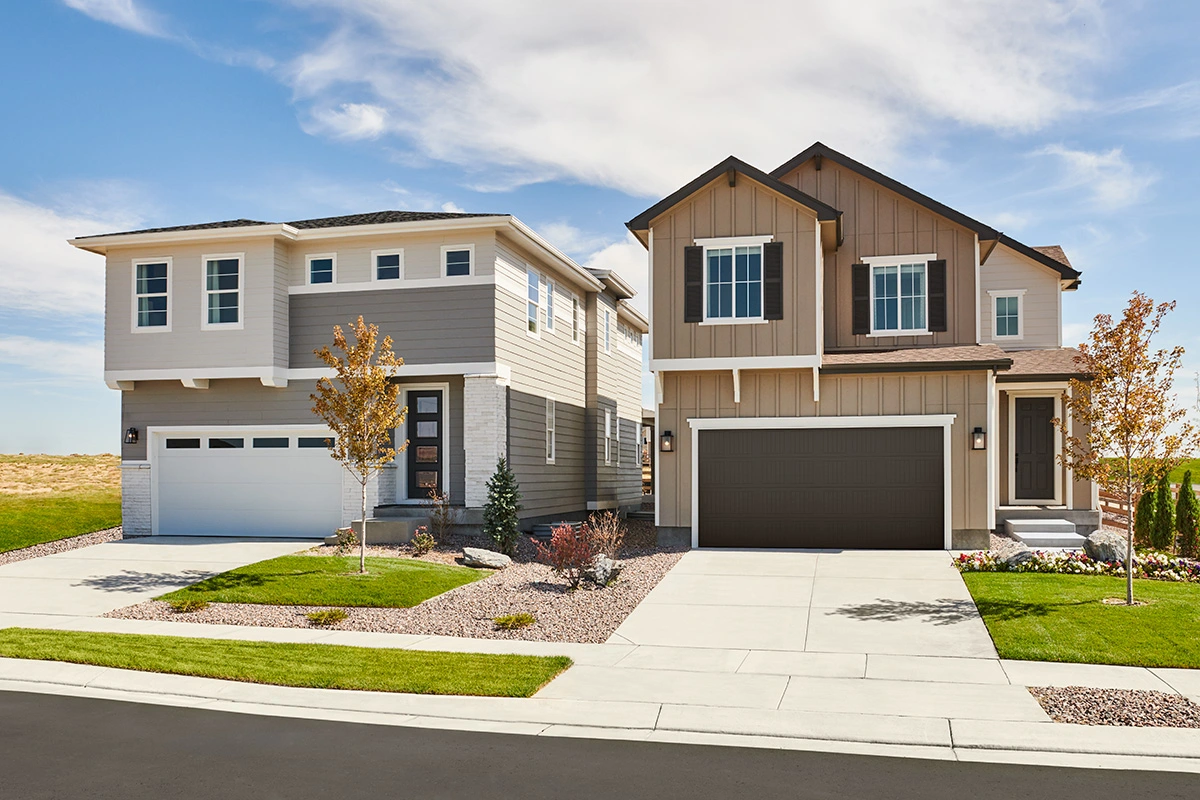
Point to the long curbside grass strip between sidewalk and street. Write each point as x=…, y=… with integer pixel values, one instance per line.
x=322, y=666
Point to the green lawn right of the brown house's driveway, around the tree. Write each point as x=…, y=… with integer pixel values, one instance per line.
x=1061, y=618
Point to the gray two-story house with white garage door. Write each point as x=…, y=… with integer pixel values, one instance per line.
x=511, y=350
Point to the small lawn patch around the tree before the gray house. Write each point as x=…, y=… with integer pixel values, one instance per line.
x=331, y=581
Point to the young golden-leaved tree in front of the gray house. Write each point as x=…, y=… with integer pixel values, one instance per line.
x=361, y=407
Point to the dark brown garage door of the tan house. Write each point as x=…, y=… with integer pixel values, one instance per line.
x=823, y=488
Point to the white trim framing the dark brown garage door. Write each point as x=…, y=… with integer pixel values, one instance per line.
x=945, y=422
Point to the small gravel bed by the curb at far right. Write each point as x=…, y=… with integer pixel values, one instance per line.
x=1118, y=707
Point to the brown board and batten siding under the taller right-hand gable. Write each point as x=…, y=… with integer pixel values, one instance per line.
x=877, y=221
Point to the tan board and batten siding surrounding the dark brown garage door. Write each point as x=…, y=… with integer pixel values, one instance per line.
x=687, y=395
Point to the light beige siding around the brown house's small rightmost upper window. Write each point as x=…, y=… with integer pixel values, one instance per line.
x=1041, y=304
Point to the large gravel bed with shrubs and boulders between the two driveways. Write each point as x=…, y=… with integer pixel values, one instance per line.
x=587, y=615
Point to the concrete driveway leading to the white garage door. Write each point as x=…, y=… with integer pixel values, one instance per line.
x=98, y=580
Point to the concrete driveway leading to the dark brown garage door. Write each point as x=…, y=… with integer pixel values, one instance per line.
x=904, y=604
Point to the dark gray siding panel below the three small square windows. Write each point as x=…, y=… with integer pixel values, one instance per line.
x=428, y=326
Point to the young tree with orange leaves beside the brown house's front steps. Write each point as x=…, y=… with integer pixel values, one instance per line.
x=1135, y=430
